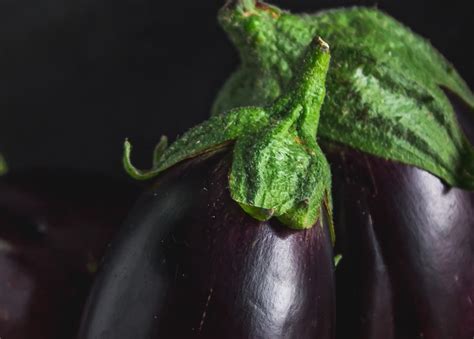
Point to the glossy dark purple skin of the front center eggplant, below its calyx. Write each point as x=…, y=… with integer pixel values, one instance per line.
x=189, y=263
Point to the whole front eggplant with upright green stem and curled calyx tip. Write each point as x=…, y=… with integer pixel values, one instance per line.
x=201, y=254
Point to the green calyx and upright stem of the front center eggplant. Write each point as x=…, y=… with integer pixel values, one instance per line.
x=278, y=168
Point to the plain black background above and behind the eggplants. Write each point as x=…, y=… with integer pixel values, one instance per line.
x=78, y=76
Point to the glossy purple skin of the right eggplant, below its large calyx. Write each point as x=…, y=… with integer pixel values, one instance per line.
x=407, y=241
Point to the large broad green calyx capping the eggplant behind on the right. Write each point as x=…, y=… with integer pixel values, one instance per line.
x=384, y=86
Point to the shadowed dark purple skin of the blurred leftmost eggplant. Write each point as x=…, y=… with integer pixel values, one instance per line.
x=54, y=228
